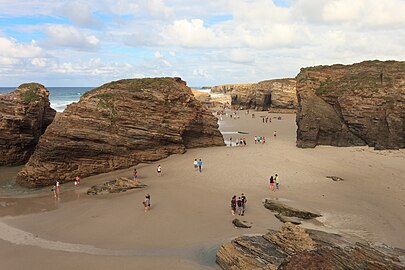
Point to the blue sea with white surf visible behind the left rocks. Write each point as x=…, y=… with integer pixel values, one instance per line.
x=59, y=97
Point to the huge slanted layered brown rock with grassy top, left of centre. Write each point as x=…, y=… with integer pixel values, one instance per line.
x=118, y=125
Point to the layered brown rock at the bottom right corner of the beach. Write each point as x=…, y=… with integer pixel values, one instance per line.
x=294, y=248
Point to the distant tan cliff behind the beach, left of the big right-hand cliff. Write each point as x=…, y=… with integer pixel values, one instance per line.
x=278, y=93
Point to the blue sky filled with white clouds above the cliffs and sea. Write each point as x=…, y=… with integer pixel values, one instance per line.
x=211, y=42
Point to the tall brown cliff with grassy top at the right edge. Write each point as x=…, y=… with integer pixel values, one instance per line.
x=355, y=105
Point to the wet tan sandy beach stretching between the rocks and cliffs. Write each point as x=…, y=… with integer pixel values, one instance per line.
x=190, y=215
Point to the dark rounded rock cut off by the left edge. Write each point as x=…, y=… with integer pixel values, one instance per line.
x=25, y=114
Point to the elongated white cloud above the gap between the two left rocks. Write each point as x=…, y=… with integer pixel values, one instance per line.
x=70, y=37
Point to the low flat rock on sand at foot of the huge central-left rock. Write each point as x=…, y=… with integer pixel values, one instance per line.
x=115, y=186
